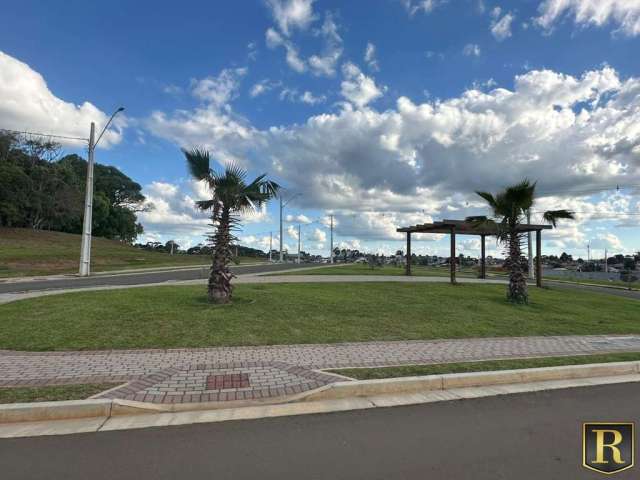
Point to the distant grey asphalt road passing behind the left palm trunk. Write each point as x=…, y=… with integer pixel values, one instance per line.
x=140, y=278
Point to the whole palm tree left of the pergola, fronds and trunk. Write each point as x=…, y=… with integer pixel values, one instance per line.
x=231, y=196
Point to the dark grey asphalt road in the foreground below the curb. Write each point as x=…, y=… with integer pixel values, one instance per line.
x=527, y=436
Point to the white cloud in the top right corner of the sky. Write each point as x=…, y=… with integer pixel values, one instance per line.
x=624, y=13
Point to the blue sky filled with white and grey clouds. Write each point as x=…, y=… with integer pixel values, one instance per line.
x=383, y=113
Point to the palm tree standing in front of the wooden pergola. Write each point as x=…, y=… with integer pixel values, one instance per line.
x=510, y=208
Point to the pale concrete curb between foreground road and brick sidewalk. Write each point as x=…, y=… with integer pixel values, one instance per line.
x=356, y=391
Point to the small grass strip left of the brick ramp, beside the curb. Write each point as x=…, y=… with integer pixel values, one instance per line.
x=52, y=393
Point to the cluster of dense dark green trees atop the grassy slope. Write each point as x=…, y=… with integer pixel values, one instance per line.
x=43, y=189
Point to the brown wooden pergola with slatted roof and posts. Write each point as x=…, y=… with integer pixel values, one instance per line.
x=461, y=227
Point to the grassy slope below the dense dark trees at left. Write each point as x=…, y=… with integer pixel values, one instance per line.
x=25, y=252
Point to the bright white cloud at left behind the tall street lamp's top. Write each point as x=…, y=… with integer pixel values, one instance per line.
x=26, y=103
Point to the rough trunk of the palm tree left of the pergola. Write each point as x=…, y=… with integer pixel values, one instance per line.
x=220, y=289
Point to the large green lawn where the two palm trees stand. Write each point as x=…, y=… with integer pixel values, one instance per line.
x=179, y=316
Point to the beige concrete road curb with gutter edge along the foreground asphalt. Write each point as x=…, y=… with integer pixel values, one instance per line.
x=384, y=392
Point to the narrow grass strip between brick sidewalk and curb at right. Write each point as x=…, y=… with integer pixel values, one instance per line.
x=485, y=366
